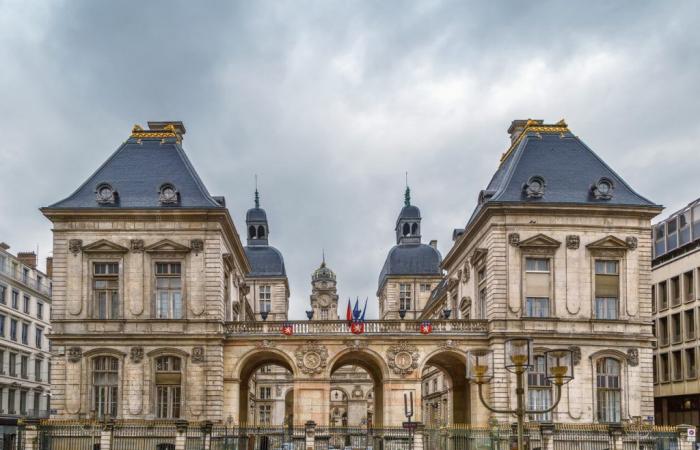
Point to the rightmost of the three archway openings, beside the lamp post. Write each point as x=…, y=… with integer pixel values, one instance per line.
x=444, y=389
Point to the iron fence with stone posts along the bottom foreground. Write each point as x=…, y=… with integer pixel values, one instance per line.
x=181, y=435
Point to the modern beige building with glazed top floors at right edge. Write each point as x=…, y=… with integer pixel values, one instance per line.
x=676, y=307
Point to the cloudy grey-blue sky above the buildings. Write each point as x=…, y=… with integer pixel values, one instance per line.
x=330, y=103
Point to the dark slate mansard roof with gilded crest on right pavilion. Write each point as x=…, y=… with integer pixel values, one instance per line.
x=568, y=167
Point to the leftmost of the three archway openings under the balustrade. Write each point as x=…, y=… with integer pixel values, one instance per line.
x=266, y=390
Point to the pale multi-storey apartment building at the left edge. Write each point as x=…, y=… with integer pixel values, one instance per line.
x=25, y=308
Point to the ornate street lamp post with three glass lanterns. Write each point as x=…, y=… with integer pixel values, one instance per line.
x=518, y=360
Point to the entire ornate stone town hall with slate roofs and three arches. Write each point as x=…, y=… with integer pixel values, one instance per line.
x=156, y=315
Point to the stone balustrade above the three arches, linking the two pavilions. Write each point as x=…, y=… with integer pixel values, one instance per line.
x=340, y=327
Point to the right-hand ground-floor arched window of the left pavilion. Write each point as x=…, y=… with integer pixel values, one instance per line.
x=168, y=387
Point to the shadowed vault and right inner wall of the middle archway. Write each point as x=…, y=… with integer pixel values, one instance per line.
x=377, y=371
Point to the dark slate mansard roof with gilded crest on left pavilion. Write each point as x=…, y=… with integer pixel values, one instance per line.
x=137, y=170
